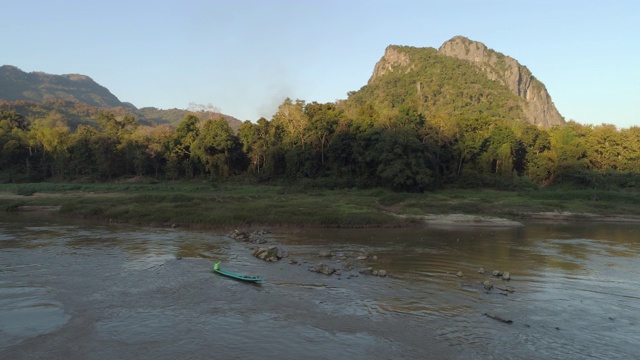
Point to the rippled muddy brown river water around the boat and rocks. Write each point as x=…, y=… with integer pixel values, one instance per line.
x=80, y=290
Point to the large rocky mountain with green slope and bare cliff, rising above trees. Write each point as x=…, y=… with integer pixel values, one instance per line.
x=463, y=79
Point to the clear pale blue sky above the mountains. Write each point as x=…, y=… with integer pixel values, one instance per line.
x=244, y=57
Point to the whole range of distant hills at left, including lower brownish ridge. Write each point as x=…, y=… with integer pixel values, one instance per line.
x=79, y=99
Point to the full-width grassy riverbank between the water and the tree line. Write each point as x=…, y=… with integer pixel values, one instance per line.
x=211, y=205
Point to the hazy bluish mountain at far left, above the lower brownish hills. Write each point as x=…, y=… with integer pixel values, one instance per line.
x=17, y=85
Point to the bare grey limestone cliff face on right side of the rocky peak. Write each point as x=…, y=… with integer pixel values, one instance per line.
x=538, y=108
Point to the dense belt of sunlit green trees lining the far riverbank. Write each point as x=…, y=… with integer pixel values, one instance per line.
x=342, y=144
